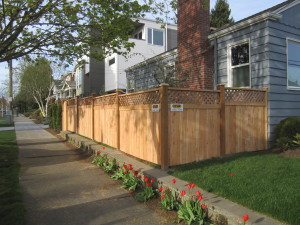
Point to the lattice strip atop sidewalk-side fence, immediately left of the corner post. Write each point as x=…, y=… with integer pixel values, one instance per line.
x=140, y=98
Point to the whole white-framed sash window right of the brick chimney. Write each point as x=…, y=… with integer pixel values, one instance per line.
x=239, y=65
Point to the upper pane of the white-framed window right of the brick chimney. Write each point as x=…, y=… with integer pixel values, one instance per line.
x=240, y=54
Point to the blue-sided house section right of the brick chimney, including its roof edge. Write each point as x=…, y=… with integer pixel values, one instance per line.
x=263, y=51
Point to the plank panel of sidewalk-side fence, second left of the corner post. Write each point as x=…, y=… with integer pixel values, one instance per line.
x=105, y=124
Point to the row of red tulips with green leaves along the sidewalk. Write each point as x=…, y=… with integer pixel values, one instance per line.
x=190, y=207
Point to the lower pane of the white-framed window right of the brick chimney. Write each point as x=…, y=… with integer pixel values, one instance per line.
x=241, y=77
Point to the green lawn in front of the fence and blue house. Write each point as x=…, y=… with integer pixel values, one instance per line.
x=266, y=183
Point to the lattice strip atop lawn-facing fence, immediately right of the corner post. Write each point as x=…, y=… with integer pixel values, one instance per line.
x=193, y=97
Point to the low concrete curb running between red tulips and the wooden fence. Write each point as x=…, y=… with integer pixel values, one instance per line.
x=222, y=211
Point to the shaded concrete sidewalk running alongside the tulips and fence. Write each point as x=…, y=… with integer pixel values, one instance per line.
x=60, y=186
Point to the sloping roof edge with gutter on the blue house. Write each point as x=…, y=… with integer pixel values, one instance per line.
x=270, y=13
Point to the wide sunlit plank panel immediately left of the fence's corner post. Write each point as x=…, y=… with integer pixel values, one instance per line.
x=139, y=132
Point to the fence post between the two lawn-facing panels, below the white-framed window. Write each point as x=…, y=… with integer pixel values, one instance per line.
x=221, y=87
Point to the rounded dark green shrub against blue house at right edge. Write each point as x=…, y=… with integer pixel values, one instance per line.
x=288, y=127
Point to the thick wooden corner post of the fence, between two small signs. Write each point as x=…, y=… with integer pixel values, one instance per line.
x=163, y=134
